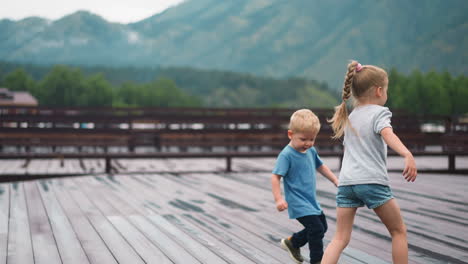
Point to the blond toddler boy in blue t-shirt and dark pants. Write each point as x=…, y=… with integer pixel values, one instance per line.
x=297, y=164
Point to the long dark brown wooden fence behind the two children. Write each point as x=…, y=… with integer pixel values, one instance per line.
x=42, y=132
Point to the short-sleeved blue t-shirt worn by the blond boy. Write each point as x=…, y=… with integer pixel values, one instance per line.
x=298, y=172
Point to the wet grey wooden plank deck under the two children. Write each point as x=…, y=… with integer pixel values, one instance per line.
x=188, y=211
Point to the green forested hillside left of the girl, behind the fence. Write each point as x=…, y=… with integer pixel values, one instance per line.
x=60, y=85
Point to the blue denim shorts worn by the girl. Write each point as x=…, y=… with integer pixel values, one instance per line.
x=371, y=195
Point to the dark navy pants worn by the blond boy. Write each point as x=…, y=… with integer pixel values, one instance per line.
x=314, y=230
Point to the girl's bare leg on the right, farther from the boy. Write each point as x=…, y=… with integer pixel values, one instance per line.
x=389, y=214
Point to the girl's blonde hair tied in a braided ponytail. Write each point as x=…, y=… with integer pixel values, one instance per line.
x=359, y=79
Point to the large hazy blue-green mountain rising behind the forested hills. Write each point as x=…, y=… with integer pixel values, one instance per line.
x=310, y=38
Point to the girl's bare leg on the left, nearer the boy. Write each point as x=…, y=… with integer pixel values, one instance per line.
x=344, y=226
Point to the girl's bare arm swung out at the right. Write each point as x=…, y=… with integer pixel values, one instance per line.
x=410, y=172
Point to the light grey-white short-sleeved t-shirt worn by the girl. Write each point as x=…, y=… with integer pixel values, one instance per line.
x=365, y=152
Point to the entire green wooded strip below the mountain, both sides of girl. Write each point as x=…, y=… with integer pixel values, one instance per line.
x=431, y=93
